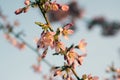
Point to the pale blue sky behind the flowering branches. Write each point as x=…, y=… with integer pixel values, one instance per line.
x=16, y=64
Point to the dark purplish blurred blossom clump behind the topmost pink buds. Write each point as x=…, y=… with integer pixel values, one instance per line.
x=71, y=10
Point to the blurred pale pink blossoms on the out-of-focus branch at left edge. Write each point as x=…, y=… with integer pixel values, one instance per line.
x=8, y=29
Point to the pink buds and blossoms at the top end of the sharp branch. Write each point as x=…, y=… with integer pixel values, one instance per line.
x=45, y=5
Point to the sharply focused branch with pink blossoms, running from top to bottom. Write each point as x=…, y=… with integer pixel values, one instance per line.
x=52, y=39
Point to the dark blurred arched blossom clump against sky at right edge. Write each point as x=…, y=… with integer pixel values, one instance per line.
x=108, y=28
